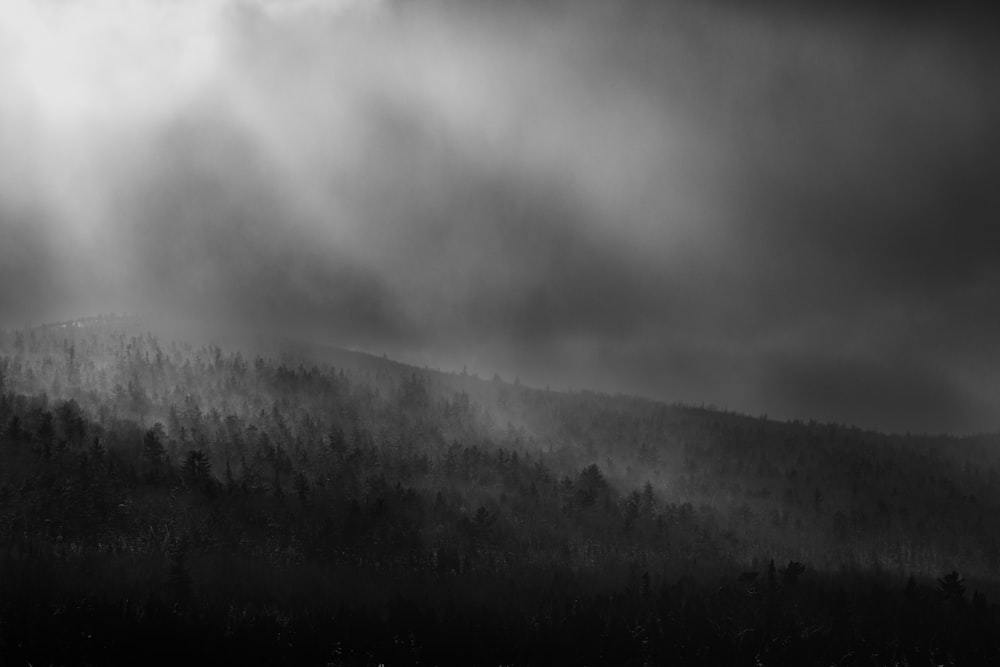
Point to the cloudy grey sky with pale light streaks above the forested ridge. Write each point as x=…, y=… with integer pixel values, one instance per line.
x=775, y=207
